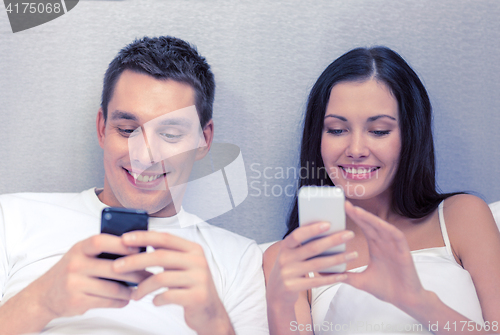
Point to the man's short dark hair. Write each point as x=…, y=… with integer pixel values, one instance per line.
x=164, y=57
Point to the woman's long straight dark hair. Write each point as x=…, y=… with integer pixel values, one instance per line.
x=414, y=185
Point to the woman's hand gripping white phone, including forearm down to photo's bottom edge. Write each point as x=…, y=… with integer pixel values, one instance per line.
x=286, y=265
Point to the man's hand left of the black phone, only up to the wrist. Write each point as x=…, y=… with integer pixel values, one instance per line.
x=73, y=285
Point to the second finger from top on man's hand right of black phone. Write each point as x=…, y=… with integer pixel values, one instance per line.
x=168, y=259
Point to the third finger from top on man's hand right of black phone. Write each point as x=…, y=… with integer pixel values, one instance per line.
x=166, y=279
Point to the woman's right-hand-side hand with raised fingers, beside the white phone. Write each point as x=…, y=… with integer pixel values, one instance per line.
x=390, y=275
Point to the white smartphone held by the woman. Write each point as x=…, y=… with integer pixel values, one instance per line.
x=324, y=203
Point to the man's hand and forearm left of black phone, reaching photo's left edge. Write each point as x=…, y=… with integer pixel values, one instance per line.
x=71, y=287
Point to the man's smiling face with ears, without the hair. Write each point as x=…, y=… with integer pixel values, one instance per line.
x=151, y=138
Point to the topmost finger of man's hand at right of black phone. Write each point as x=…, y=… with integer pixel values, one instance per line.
x=157, y=240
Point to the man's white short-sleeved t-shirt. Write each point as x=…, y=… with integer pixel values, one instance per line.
x=37, y=229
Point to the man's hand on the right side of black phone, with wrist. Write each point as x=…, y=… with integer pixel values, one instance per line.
x=187, y=278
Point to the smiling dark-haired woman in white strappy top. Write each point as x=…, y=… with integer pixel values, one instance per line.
x=416, y=259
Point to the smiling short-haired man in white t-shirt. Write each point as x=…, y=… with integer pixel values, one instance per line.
x=155, y=121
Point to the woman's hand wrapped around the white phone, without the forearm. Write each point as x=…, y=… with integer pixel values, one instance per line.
x=293, y=262
